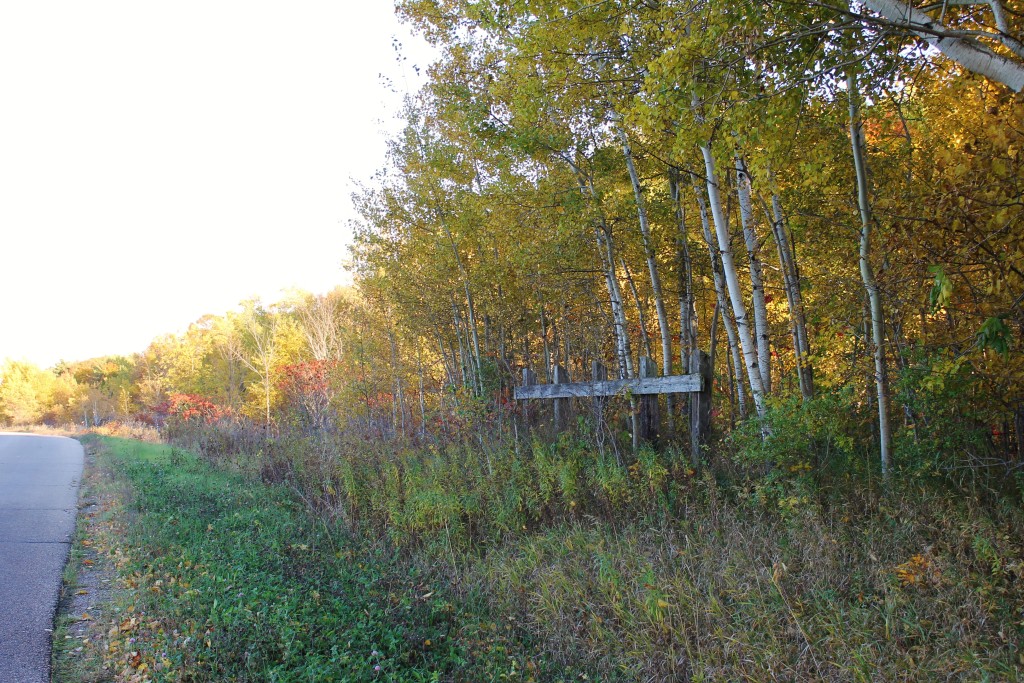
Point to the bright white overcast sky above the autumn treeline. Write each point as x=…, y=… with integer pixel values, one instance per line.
x=163, y=161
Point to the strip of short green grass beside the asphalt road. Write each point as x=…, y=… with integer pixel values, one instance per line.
x=236, y=582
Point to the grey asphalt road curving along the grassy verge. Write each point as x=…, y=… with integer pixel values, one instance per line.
x=39, y=478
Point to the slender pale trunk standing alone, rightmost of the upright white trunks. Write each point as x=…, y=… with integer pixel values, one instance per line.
x=874, y=297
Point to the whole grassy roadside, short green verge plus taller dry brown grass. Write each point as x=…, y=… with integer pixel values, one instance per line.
x=232, y=580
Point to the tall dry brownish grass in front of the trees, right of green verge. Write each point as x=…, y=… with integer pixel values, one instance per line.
x=731, y=593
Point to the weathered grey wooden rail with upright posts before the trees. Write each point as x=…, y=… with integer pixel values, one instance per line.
x=647, y=388
